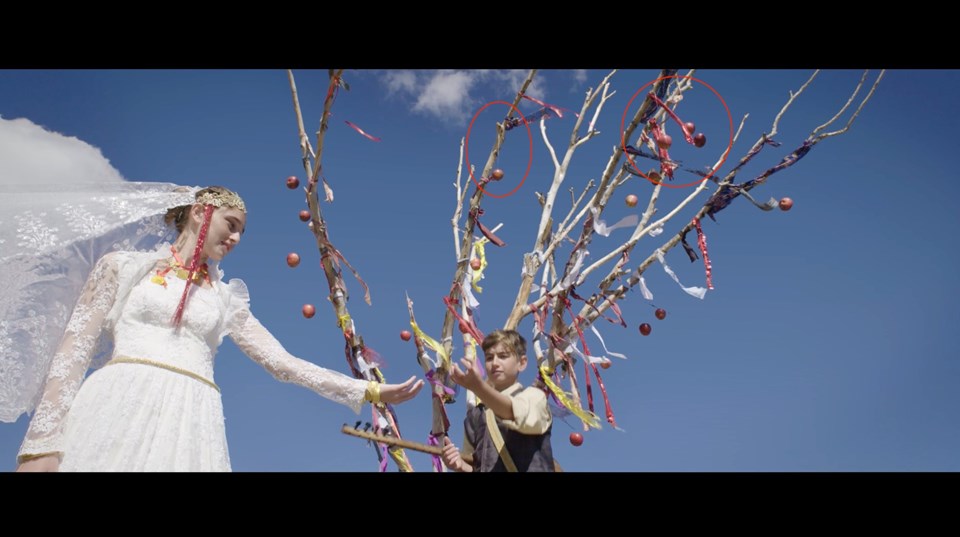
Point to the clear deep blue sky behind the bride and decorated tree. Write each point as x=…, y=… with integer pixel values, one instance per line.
x=824, y=346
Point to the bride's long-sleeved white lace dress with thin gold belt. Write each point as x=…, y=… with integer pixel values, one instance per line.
x=155, y=407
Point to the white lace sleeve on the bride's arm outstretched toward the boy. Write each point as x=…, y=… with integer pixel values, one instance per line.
x=260, y=345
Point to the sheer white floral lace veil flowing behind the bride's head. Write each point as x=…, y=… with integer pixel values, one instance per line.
x=51, y=236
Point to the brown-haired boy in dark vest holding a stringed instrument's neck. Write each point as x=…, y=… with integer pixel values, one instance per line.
x=522, y=420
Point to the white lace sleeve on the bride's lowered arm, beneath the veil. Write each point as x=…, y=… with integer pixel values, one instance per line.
x=72, y=359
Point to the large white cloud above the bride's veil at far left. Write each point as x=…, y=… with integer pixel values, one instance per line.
x=31, y=154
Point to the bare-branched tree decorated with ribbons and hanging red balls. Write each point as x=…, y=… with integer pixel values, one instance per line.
x=568, y=281
